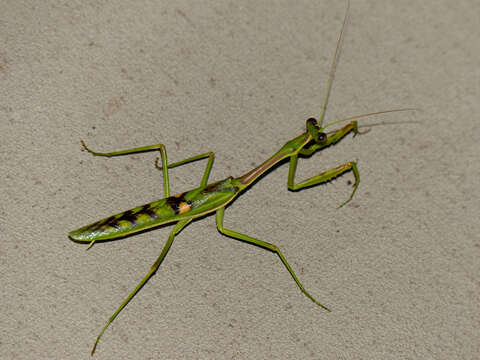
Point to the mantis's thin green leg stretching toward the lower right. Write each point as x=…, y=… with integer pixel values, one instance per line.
x=265, y=245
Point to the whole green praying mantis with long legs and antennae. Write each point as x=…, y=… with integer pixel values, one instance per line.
x=182, y=208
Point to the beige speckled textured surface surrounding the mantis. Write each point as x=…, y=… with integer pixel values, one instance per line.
x=399, y=266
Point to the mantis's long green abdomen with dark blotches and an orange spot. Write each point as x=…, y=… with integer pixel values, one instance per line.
x=190, y=204
